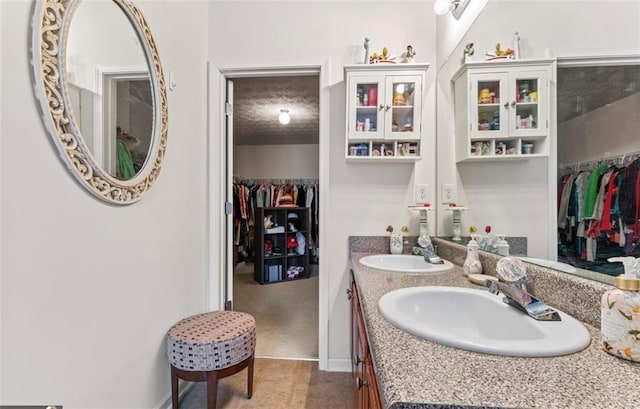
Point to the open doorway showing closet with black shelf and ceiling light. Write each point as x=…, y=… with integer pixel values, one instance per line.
x=275, y=165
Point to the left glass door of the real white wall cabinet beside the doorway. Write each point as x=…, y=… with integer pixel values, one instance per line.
x=365, y=109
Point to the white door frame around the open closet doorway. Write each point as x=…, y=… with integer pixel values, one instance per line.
x=216, y=287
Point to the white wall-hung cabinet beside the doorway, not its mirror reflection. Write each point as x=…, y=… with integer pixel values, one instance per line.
x=384, y=111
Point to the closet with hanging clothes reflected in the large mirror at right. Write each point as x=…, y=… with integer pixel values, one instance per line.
x=598, y=165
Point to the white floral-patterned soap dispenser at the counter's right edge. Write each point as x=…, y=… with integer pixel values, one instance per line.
x=620, y=312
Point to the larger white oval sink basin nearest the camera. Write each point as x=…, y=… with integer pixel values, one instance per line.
x=478, y=321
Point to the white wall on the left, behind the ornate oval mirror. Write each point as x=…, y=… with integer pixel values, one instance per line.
x=88, y=290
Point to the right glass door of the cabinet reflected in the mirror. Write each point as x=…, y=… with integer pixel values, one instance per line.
x=527, y=97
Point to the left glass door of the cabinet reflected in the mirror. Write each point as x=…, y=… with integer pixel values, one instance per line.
x=488, y=110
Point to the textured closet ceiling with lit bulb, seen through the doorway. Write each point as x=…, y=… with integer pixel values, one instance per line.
x=257, y=103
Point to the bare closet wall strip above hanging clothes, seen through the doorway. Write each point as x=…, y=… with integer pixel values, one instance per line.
x=276, y=161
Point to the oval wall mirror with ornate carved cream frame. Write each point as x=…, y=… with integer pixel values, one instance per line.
x=101, y=88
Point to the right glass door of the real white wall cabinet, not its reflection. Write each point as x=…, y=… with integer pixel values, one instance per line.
x=403, y=107
